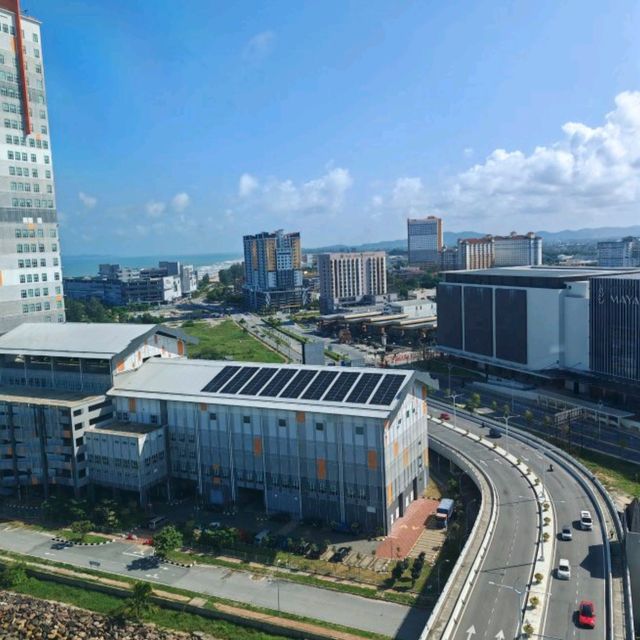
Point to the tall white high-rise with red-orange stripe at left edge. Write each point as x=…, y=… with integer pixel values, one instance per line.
x=30, y=269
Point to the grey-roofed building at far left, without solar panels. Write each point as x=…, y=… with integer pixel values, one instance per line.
x=54, y=380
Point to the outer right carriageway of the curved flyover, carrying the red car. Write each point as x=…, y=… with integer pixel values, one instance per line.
x=586, y=555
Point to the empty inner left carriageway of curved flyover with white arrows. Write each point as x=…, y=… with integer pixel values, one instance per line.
x=493, y=605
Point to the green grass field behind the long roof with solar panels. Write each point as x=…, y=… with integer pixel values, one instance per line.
x=228, y=340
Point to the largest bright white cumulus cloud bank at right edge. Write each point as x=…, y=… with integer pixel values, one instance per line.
x=587, y=176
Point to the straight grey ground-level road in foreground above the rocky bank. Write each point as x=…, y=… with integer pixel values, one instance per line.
x=135, y=561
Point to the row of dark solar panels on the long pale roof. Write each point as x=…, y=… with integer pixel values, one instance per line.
x=352, y=387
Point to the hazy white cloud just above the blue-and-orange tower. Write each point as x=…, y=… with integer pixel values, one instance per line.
x=321, y=195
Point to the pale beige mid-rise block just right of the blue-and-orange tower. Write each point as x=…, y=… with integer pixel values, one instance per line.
x=351, y=278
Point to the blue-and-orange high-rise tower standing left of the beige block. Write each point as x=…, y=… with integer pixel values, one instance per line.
x=273, y=271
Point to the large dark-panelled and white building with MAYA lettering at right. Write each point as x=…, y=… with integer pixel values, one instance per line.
x=541, y=319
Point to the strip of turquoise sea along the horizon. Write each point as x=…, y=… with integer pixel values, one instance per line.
x=88, y=264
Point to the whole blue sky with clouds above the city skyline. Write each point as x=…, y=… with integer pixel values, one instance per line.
x=180, y=129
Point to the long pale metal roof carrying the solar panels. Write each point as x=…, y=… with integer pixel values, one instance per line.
x=343, y=390
